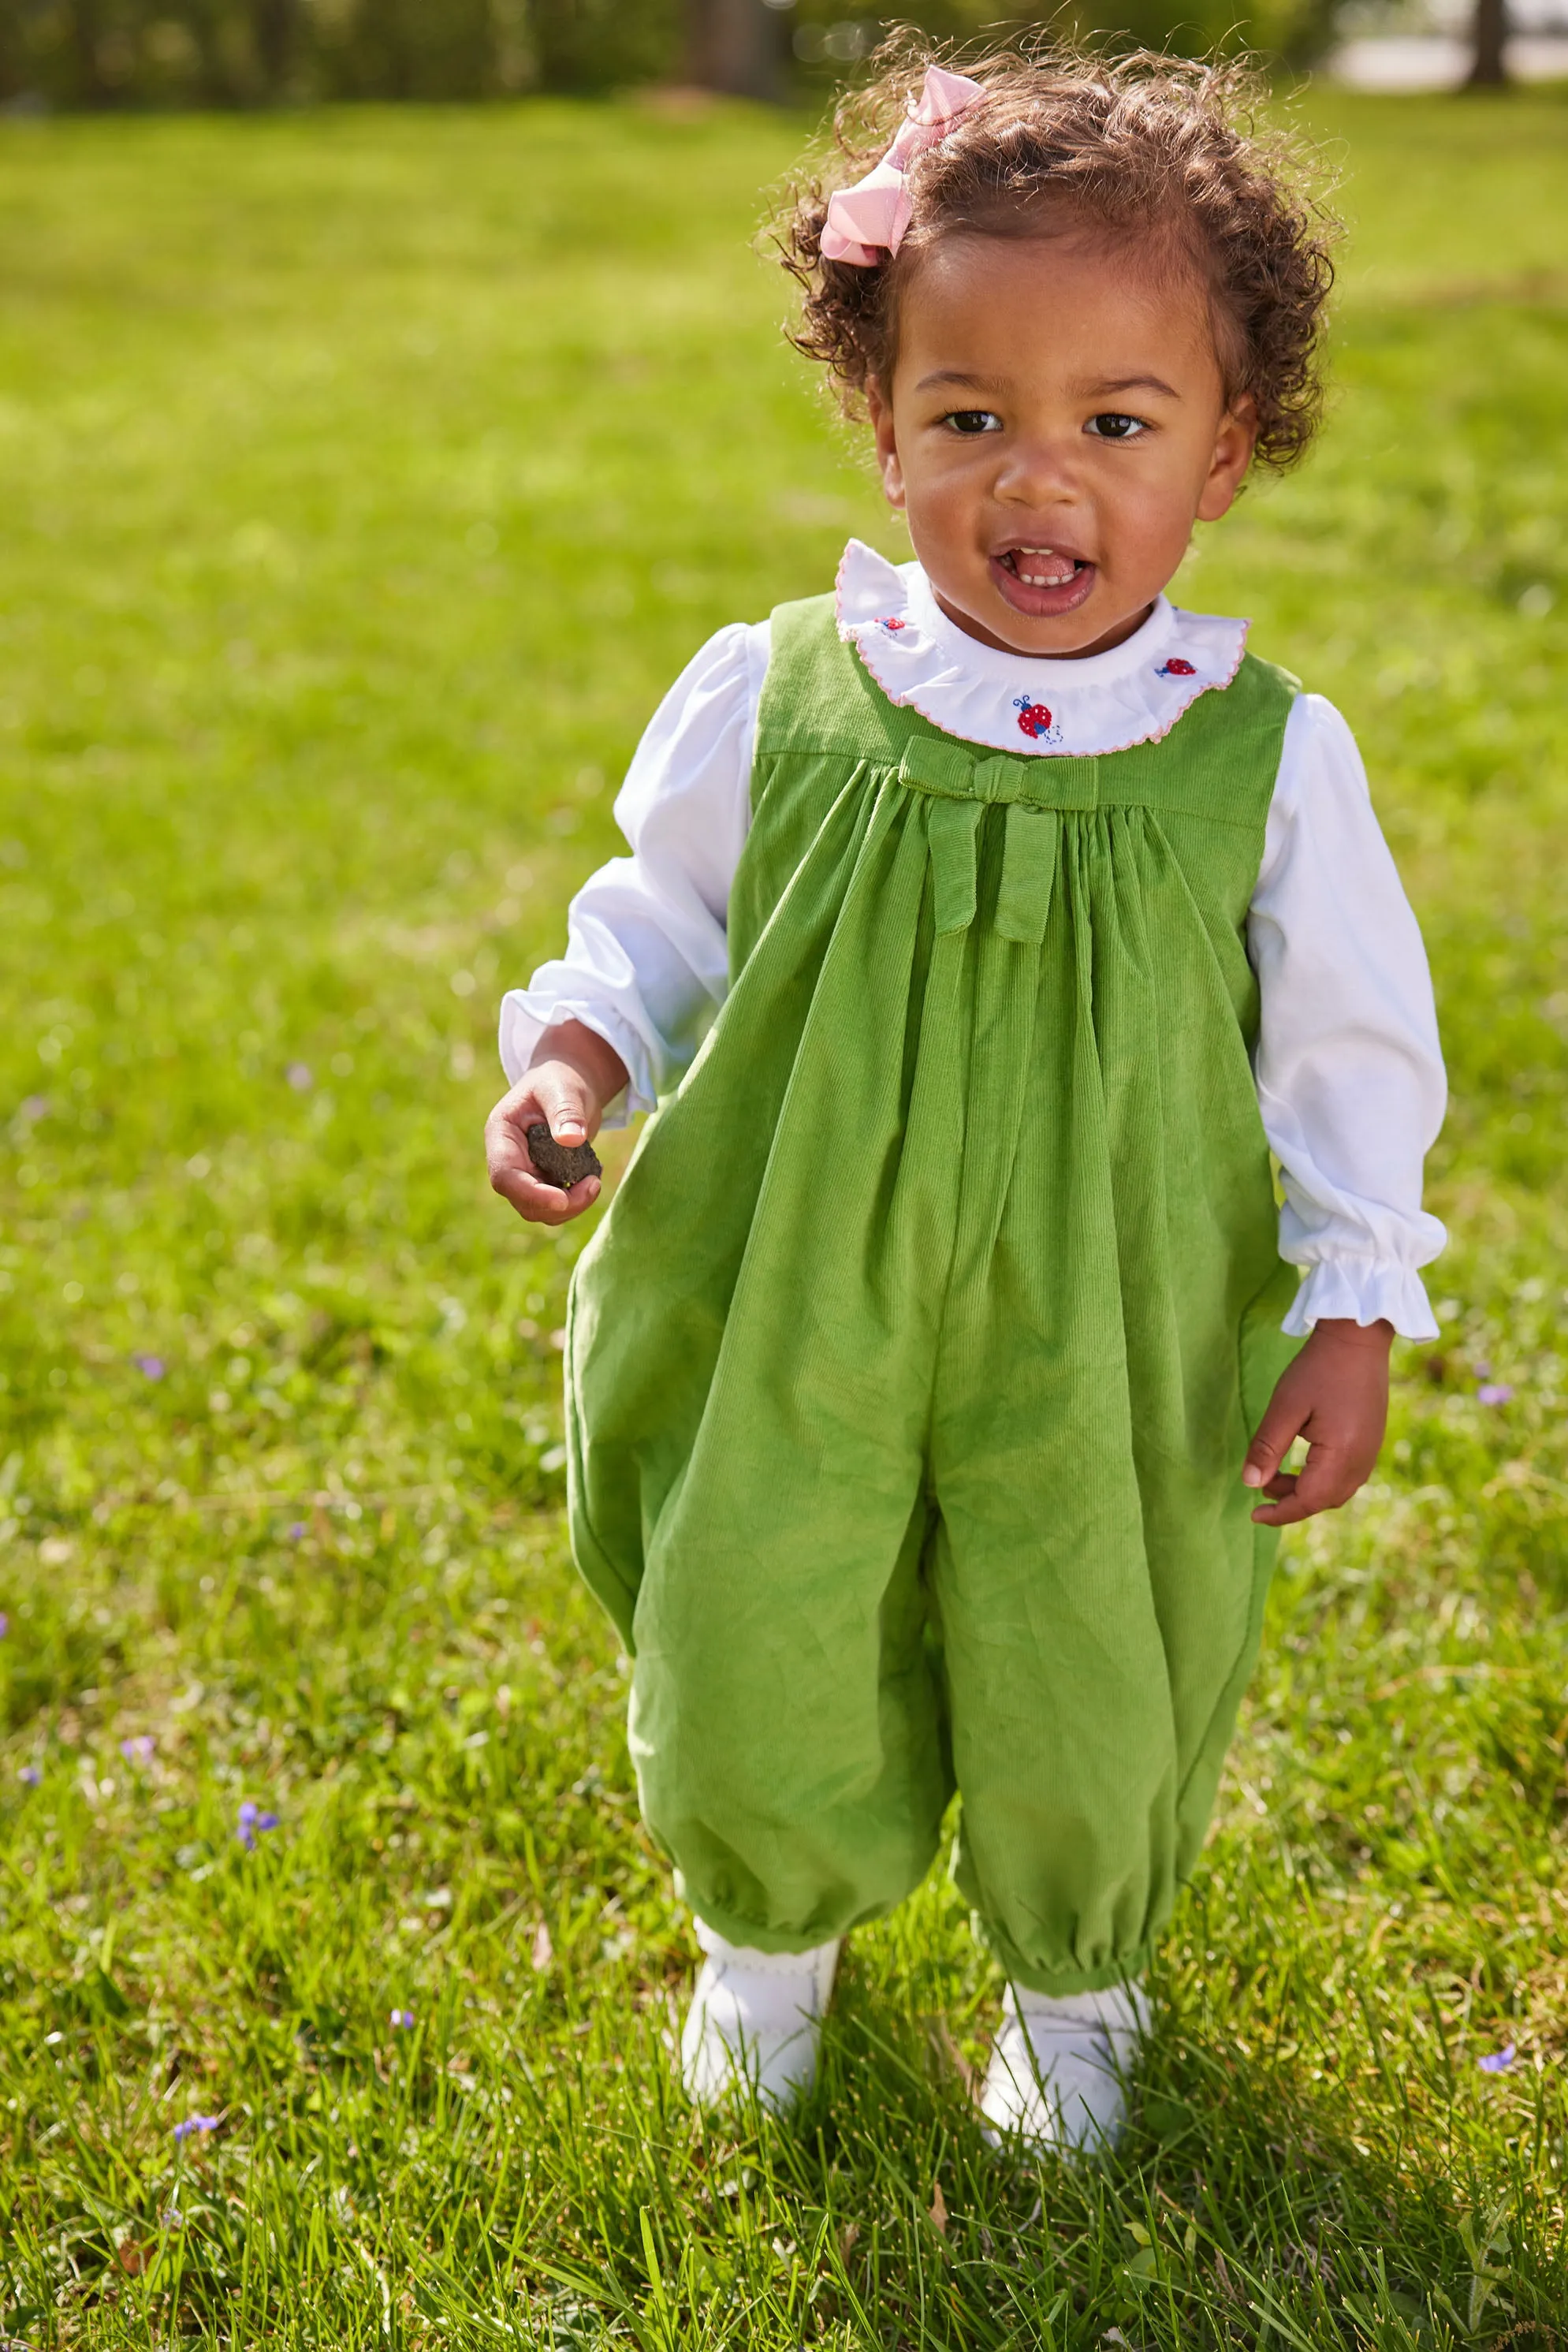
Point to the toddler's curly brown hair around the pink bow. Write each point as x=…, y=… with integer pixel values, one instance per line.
x=1066, y=140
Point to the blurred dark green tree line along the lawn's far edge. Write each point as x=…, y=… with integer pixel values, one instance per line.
x=300, y=53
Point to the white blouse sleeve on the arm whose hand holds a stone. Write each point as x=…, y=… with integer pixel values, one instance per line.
x=648, y=949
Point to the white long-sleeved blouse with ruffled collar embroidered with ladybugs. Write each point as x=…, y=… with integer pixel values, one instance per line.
x=1348, y=1067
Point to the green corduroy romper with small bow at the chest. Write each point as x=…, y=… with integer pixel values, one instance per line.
x=913, y=1365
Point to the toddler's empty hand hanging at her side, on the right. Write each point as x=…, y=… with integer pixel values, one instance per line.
x=1336, y=1396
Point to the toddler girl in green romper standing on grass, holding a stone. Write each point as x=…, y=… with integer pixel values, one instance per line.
x=989, y=926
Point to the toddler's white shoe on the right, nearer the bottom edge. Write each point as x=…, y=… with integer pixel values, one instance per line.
x=1059, y=2069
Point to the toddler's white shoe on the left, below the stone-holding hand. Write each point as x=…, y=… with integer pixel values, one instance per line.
x=753, y=2022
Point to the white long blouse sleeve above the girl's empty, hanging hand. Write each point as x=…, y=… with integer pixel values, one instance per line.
x=1351, y=1076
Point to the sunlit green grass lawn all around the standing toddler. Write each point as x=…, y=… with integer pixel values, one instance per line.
x=363, y=481
